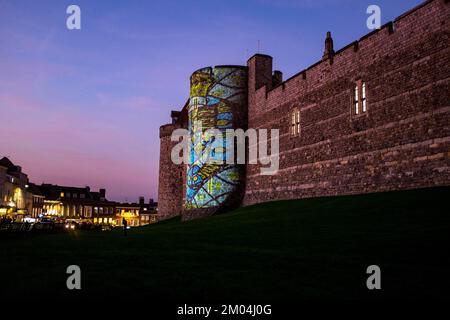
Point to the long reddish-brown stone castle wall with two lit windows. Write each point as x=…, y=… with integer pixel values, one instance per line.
x=402, y=141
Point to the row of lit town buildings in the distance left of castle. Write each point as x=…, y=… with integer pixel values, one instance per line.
x=21, y=199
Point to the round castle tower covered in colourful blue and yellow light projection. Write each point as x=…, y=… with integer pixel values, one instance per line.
x=218, y=100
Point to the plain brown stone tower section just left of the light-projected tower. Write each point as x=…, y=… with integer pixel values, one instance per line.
x=170, y=189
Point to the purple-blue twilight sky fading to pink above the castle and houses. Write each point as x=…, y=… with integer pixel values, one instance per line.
x=83, y=107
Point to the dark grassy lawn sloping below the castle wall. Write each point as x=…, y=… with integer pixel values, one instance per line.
x=313, y=248
